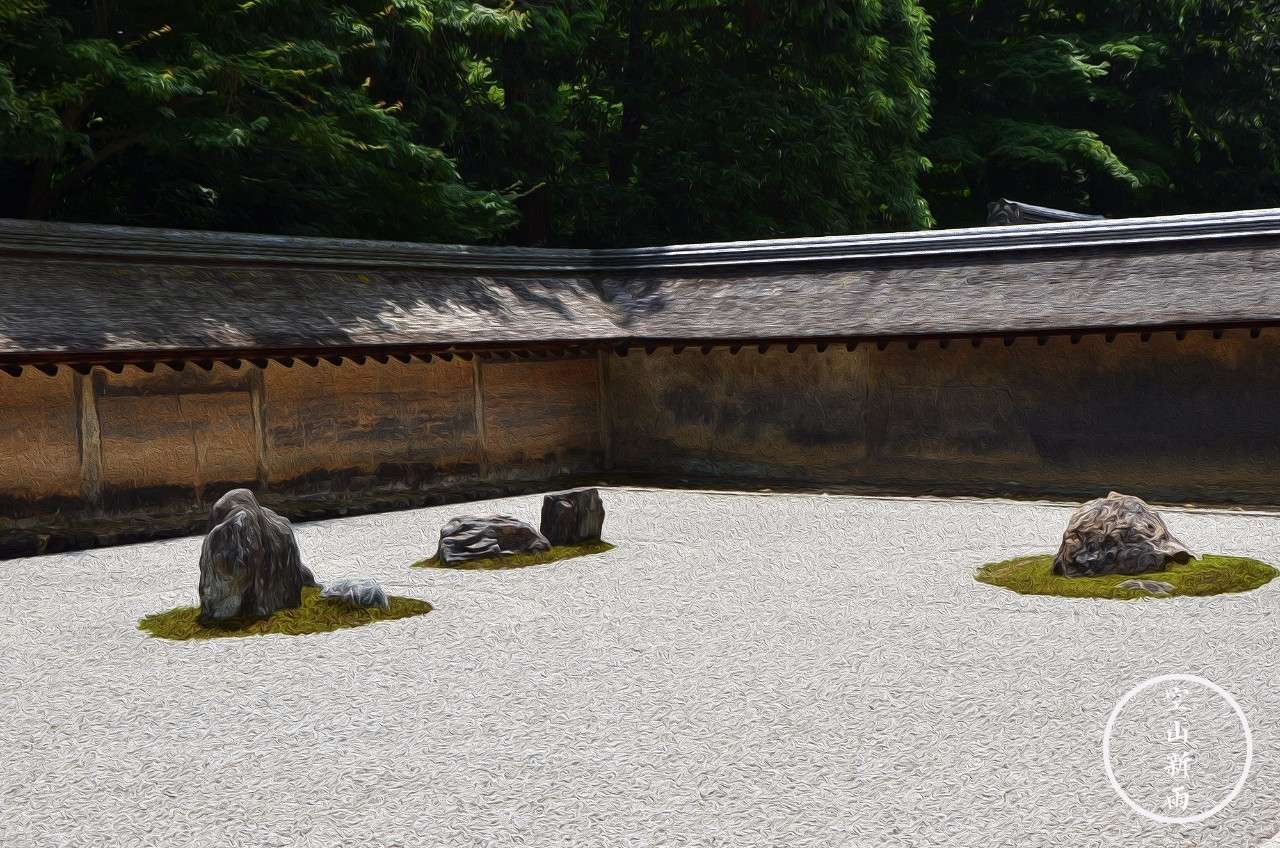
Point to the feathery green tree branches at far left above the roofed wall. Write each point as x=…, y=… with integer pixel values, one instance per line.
x=234, y=115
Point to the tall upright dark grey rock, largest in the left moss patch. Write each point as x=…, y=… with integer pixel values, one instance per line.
x=250, y=566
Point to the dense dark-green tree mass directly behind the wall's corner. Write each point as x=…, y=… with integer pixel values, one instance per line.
x=669, y=121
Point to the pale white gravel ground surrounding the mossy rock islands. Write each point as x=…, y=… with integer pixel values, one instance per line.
x=743, y=671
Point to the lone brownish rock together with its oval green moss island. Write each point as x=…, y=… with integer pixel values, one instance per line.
x=1119, y=548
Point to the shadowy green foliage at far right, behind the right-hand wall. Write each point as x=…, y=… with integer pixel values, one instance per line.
x=1151, y=107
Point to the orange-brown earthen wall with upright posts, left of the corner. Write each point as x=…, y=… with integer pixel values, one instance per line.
x=310, y=440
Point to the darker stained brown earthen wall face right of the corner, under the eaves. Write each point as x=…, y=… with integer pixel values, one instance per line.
x=1191, y=420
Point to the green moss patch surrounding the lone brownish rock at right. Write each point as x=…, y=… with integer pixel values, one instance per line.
x=1212, y=575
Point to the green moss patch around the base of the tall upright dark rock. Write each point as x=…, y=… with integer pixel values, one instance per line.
x=316, y=616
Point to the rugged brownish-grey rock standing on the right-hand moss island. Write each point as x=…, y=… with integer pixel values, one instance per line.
x=1117, y=535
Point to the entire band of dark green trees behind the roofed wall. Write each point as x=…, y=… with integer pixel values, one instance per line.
x=630, y=122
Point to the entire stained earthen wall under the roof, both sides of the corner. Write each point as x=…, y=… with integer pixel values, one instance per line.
x=1195, y=420
